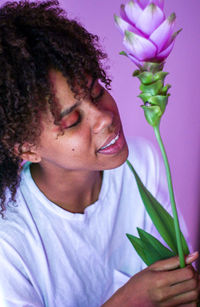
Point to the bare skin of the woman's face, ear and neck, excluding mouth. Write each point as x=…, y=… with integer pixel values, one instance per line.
x=71, y=158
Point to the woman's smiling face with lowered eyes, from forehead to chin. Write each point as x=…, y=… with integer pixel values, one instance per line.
x=92, y=137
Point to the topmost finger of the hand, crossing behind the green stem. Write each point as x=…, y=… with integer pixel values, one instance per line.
x=172, y=263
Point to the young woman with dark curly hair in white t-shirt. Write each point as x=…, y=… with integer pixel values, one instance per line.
x=66, y=212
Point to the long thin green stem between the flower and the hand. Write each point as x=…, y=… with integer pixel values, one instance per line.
x=171, y=193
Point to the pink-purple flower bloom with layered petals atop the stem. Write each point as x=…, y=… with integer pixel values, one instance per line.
x=148, y=34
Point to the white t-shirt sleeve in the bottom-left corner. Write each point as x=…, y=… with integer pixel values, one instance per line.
x=15, y=288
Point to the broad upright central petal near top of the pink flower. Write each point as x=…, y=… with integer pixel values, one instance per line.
x=150, y=19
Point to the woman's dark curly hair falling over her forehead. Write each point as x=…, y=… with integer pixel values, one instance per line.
x=34, y=38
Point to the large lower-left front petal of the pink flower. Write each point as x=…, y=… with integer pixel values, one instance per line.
x=139, y=46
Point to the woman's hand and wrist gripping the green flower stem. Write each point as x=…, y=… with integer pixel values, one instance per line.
x=161, y=284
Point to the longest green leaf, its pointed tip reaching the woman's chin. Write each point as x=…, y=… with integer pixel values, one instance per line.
x=159, y=216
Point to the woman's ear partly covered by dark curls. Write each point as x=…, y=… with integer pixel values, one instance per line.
x=28, y=152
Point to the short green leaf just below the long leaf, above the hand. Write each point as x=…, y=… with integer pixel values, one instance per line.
x=161, y=251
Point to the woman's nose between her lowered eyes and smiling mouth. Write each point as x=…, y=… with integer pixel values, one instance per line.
x=101, y=119
